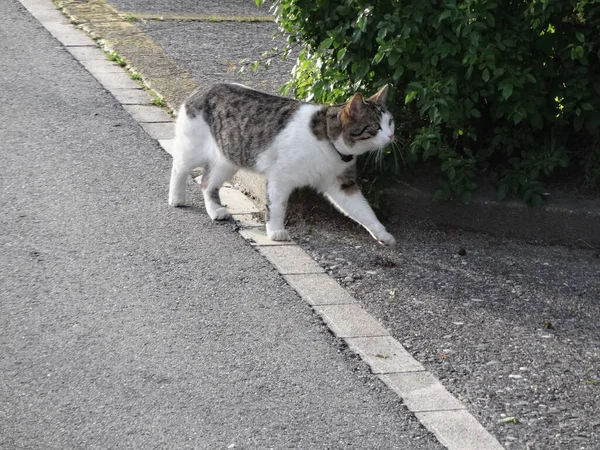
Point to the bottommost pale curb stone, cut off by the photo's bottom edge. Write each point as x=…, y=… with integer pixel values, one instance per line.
x=458, y=430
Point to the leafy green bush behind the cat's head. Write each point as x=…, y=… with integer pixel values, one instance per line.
x=506, y=89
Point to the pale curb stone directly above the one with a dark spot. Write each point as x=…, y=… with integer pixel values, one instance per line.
x=350, y=321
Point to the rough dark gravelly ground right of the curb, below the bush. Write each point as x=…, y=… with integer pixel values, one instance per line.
x=510, y=328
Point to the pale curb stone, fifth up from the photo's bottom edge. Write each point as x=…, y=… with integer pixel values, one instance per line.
x=319, y=289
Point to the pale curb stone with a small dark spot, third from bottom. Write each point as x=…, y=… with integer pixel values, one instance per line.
x=384, y=355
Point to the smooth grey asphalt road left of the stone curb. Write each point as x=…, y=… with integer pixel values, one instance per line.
x=128, y=324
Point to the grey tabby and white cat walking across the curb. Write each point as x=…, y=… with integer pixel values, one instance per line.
x=294, y=144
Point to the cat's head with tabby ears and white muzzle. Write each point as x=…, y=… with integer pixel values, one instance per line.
x=366, y=124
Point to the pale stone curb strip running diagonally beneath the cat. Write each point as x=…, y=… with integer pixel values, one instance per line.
x=440, y=412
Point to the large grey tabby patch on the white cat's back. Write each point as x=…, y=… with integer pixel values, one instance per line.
x=242, y=121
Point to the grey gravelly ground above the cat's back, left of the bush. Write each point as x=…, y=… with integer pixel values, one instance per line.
x=208, y=50
